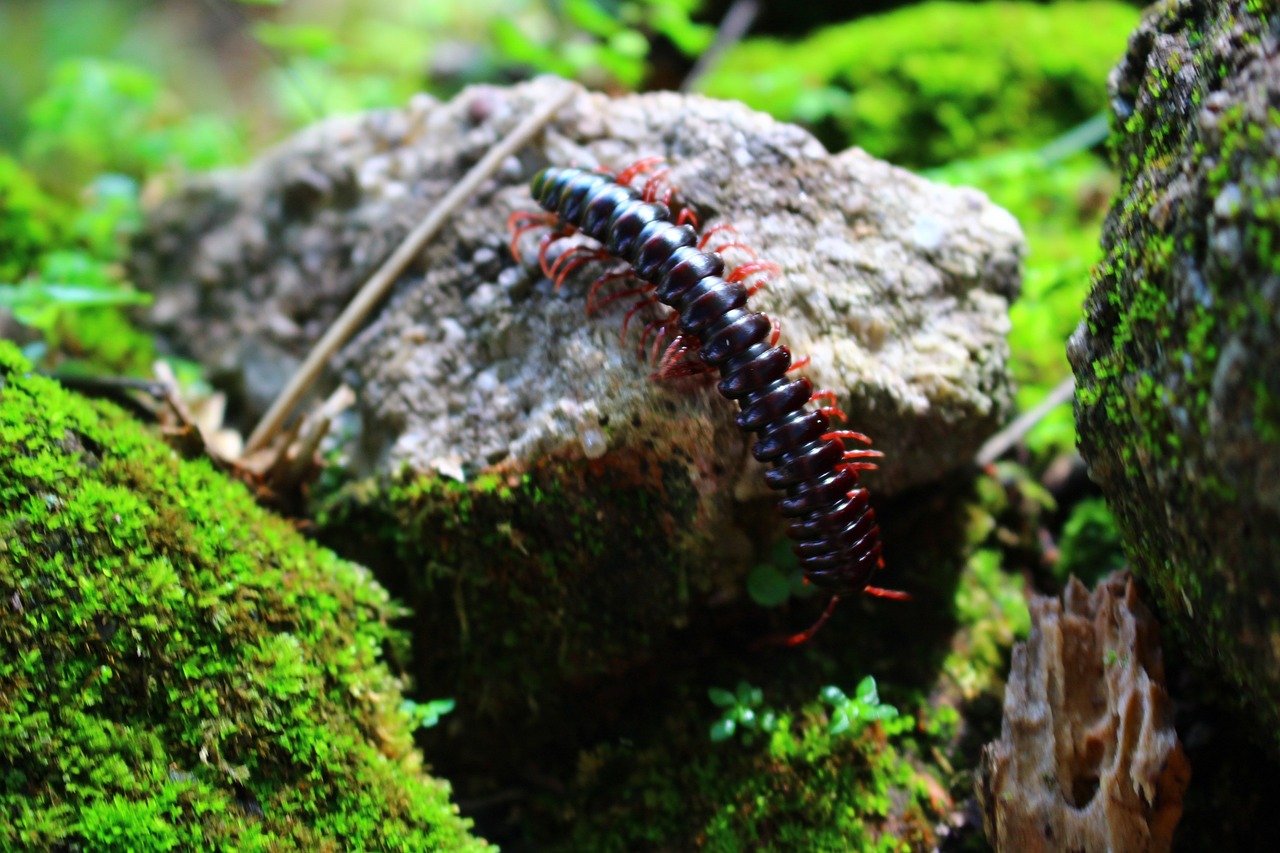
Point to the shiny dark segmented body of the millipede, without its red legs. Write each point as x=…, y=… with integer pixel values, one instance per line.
x=833, y=524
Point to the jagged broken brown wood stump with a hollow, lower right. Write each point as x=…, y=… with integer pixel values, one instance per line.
x=1087, y=758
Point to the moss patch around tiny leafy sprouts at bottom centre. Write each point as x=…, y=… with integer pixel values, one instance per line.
x=801, y=788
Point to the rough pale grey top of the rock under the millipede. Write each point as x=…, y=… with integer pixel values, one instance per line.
x=897, y=288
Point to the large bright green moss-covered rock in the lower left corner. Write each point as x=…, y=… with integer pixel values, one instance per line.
x=179, y=669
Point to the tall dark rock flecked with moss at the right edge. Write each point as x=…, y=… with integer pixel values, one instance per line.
x=1178, y=362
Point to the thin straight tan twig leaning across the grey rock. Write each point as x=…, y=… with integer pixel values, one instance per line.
x=381, y=282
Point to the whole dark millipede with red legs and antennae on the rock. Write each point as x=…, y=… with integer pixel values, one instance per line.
x=712, y=329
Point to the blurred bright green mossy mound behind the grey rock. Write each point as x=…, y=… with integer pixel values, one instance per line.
x=938, y=81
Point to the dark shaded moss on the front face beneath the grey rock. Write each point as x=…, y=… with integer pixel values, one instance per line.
x=525, y=560
